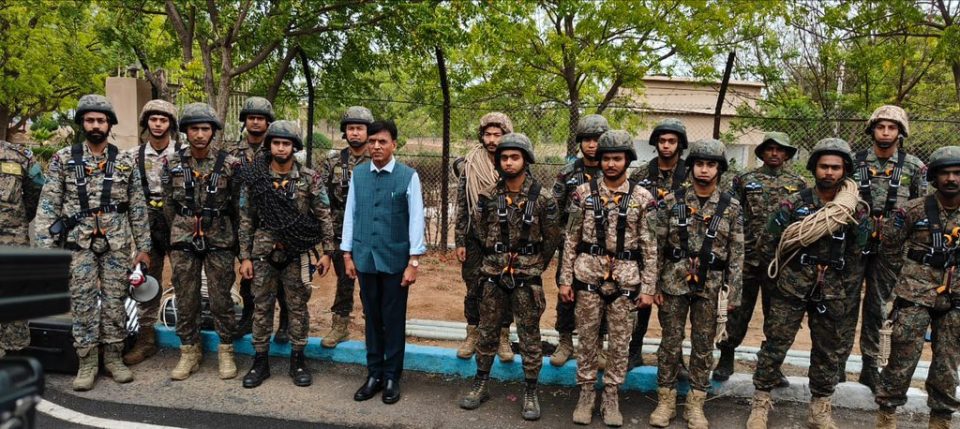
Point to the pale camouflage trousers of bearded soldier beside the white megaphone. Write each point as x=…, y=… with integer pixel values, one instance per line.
x=98, y=289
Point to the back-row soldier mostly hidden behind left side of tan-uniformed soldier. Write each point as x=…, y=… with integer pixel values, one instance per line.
x=574, y=174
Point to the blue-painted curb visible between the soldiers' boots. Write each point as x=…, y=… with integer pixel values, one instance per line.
x=430, y=359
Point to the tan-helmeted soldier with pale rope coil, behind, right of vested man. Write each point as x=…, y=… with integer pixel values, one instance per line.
x=476, y=172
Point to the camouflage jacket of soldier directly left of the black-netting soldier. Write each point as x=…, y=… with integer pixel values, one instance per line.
x=220, y=232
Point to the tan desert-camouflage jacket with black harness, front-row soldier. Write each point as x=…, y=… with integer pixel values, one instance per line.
x=593, y=269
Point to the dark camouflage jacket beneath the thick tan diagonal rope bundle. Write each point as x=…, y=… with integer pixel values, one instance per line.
x=798, y=277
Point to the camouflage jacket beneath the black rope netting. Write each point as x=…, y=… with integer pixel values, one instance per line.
x=310, y=198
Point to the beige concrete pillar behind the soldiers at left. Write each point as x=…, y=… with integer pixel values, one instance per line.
x=128, y=96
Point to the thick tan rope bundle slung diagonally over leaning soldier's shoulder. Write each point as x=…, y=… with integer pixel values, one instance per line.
x=834, y=216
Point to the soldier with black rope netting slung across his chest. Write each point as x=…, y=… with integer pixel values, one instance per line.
x=278, y=192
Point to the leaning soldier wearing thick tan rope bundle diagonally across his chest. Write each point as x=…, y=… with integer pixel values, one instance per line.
x=815, y=281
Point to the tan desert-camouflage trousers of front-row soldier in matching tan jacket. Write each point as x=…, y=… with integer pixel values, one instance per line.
x=591, y=309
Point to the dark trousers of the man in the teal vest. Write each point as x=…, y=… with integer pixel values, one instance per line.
x=385, y=309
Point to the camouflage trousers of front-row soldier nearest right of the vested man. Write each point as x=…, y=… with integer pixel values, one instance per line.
x=527, y=303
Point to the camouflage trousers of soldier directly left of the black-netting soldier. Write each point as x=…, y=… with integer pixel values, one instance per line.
x=218, y=266
